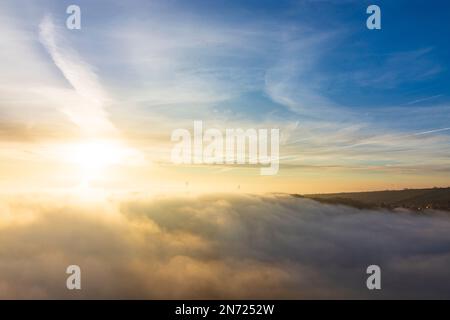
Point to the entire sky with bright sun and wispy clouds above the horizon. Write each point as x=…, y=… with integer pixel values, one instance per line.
x=94, y=109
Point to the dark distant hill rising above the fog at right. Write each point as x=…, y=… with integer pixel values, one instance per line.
x=414, y=199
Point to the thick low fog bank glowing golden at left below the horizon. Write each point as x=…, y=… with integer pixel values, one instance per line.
x=219, y=246
